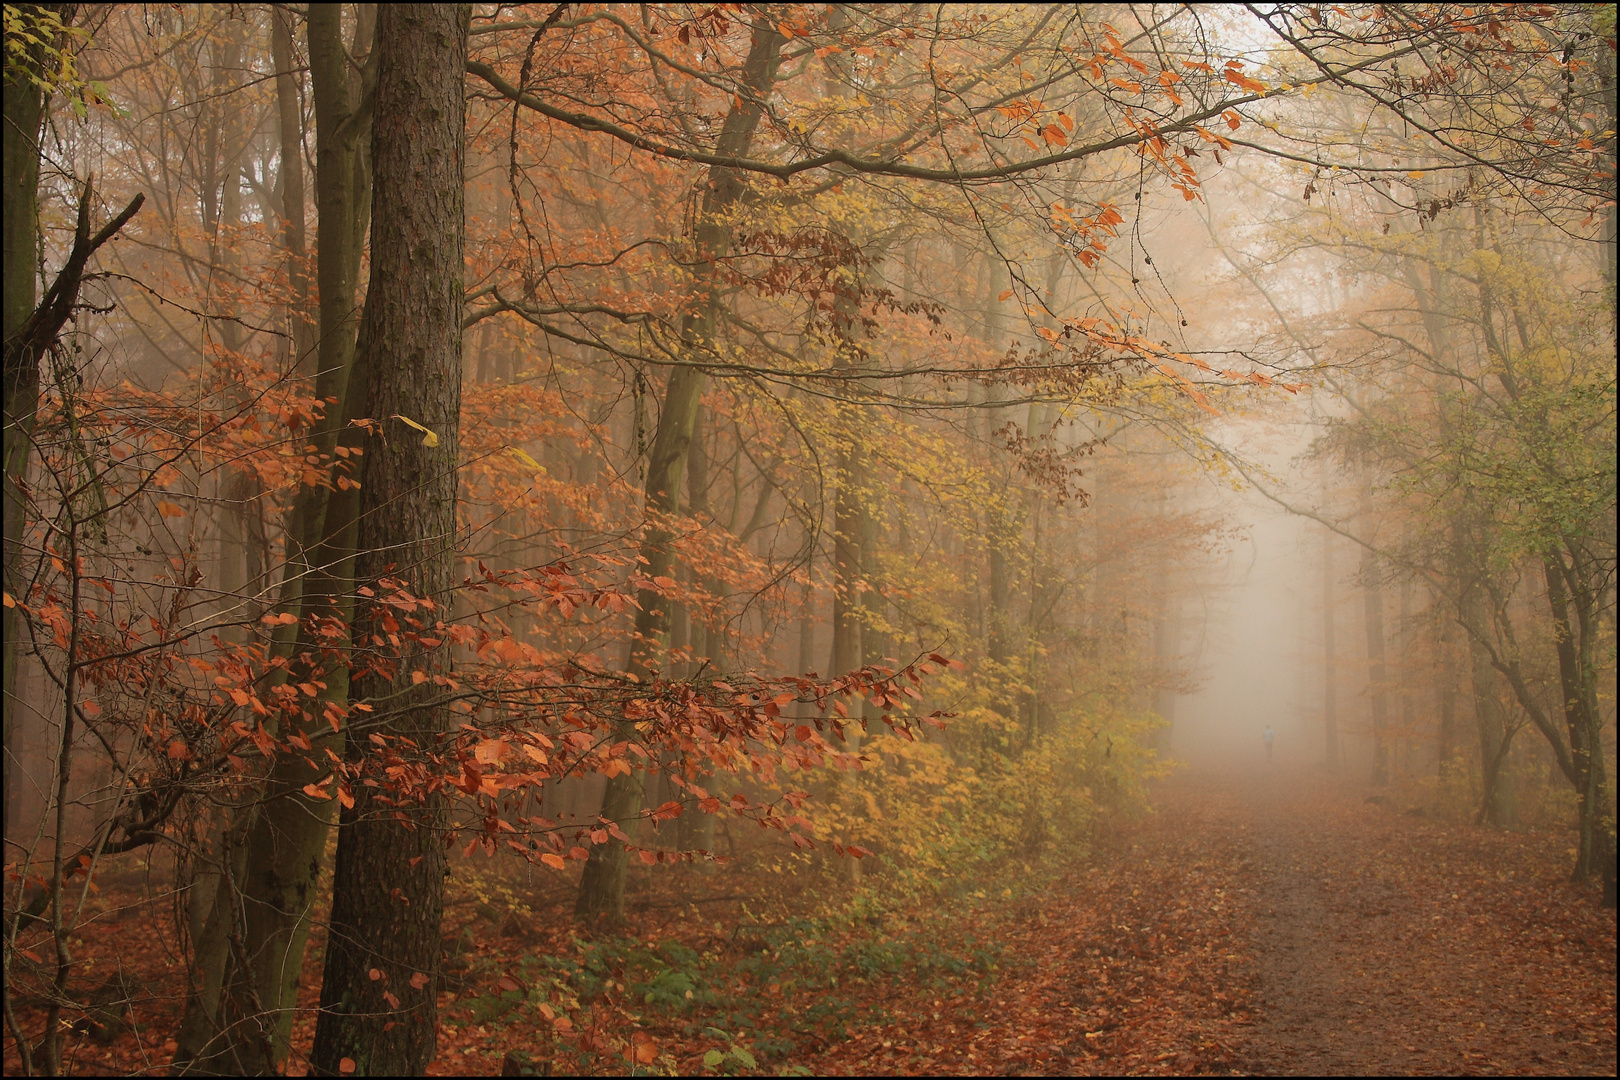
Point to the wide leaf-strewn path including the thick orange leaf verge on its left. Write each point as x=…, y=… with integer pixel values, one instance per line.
x=1276, y=922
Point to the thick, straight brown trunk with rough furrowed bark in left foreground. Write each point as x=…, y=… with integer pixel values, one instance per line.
x=388, y=890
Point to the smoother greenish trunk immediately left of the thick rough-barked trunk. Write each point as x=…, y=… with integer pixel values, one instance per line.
x=250, y=955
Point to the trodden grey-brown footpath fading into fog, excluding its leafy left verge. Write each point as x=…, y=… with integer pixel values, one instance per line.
x=1388, y=943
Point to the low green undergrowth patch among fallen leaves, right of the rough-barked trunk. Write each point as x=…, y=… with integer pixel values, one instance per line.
x=752, y=1003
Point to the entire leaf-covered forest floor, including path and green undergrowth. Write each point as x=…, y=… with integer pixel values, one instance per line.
x=1266, y=924
